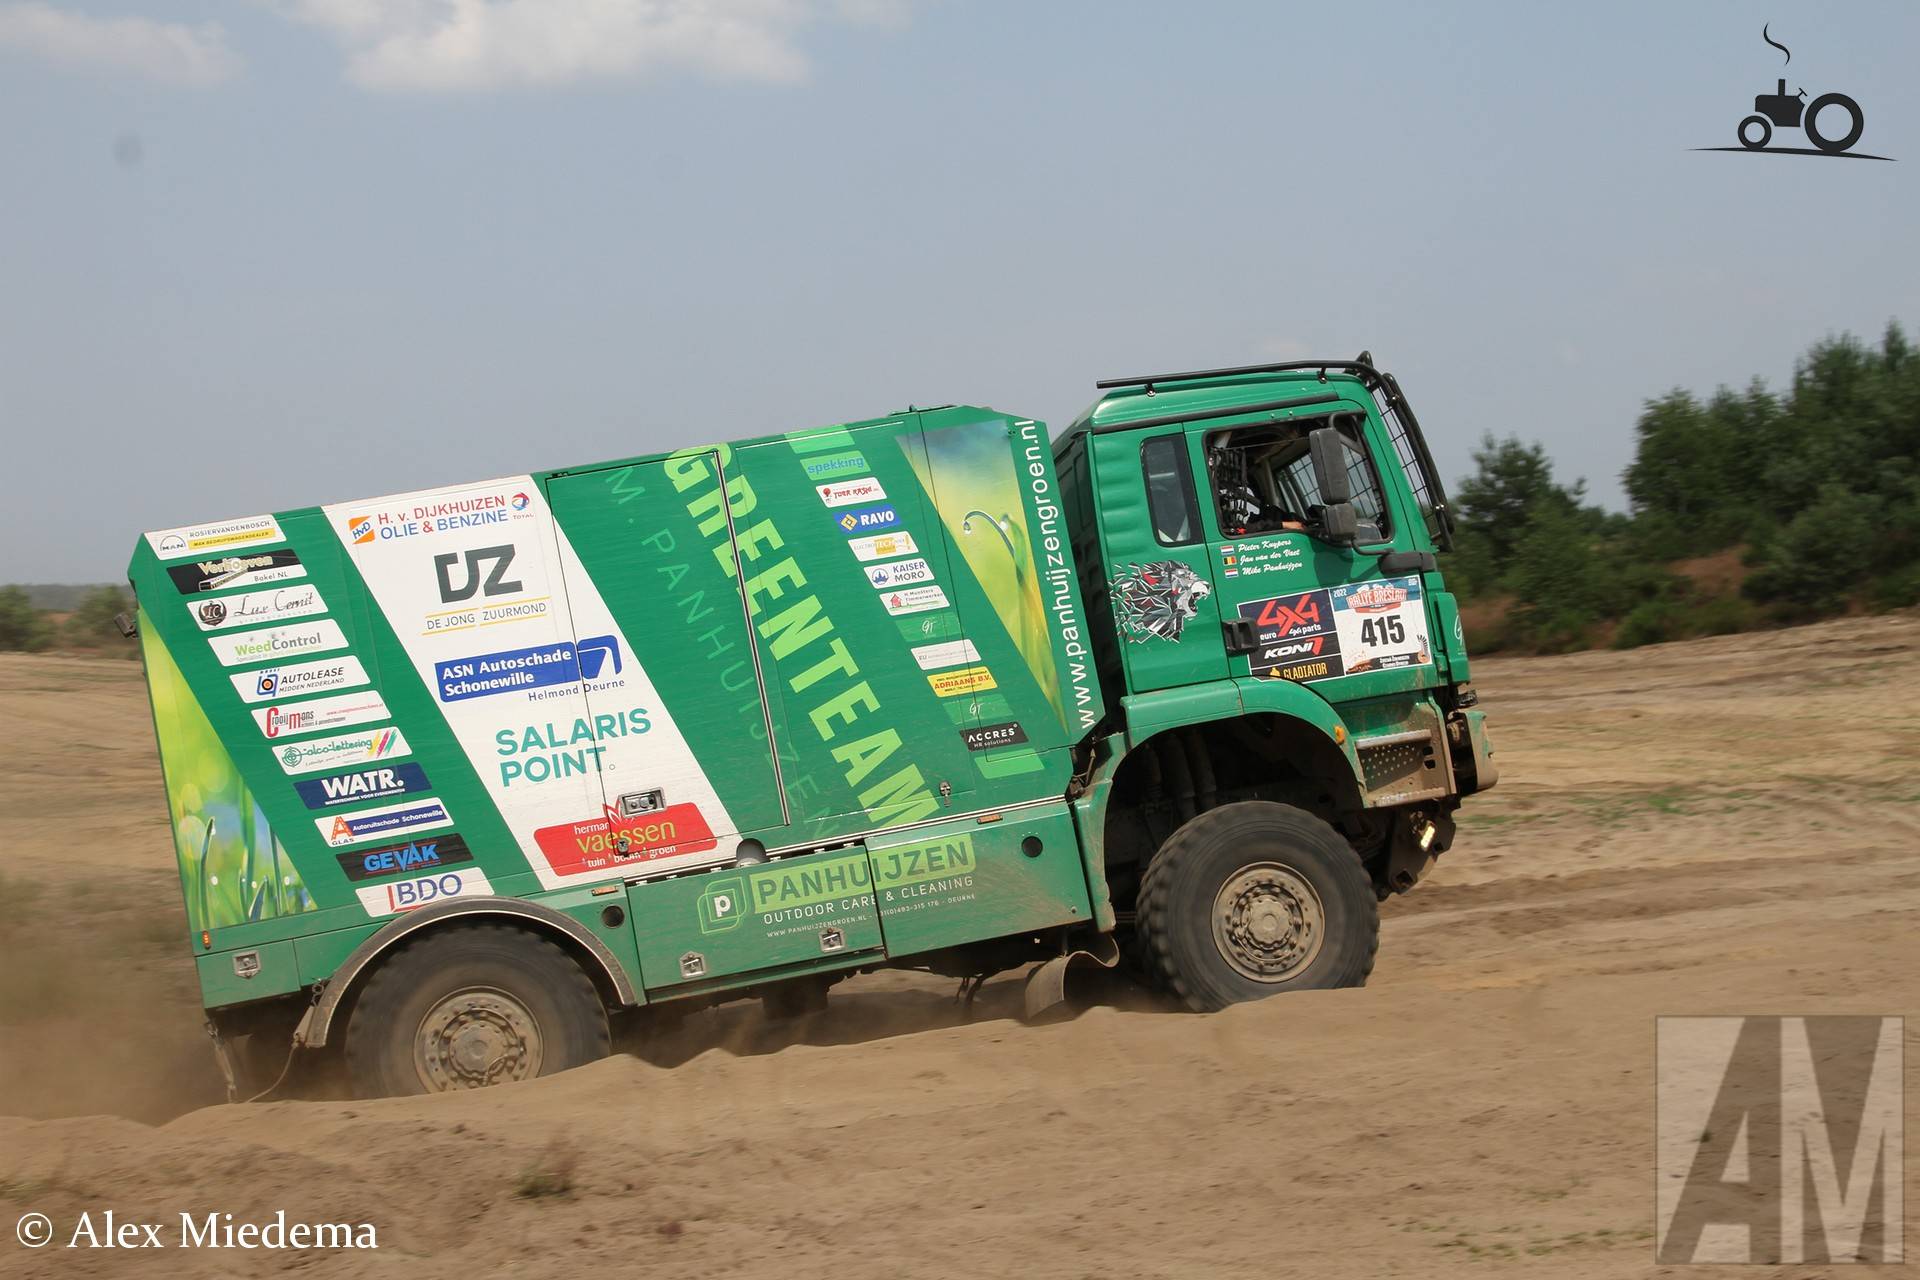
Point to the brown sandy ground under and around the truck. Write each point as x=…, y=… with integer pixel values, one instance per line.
x=1725, y=826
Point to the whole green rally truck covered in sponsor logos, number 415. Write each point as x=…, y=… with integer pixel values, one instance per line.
x=462, y=780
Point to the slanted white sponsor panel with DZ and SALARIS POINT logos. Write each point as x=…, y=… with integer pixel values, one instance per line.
x=546, y=703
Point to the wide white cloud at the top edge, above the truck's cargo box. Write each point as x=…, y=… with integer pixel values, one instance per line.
x=468, y=45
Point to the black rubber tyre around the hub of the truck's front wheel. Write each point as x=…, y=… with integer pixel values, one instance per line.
x=1193, y=868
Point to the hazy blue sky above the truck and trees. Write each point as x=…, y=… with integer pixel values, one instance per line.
x=264, y=254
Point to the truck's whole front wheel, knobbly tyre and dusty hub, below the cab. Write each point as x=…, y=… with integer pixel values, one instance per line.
x=1257, y=899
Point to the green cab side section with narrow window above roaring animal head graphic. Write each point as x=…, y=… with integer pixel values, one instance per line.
x=1155, y=538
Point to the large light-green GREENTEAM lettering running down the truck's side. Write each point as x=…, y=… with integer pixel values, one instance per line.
x=842, y=707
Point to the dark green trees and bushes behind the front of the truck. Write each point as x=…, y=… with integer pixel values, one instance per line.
x=1810, y=494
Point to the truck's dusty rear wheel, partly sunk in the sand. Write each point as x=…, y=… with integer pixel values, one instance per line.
x=519, y=997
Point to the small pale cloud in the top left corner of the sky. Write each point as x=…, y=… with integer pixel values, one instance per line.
x=166, y=53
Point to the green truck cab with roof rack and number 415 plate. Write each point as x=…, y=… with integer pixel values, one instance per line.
x=1260, y=556
